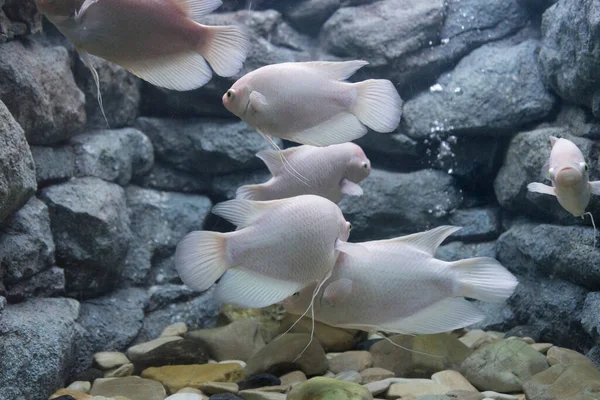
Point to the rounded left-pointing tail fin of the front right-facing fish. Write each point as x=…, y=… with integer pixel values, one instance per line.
x=200, y=259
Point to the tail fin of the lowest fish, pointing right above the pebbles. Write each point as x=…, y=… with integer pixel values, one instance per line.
x=483, y=278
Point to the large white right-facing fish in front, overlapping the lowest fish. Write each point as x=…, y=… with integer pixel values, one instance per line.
x=279, y=247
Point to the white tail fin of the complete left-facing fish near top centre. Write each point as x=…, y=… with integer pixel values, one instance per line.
x=378, y=105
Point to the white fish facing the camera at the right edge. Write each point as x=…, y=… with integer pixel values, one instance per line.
x=568, y=172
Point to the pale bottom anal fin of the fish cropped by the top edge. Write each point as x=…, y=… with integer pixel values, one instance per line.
x=183, y=71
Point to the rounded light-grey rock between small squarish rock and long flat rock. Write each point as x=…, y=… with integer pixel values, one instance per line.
x=113, y=155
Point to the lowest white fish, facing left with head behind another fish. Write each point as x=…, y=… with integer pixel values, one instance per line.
x=397, y=285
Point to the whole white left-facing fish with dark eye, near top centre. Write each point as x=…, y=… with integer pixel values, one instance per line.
x=308, y=102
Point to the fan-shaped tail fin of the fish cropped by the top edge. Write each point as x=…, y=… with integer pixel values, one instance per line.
x=225, y=48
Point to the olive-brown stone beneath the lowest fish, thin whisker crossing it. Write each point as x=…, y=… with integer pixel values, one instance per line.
x=407, y=364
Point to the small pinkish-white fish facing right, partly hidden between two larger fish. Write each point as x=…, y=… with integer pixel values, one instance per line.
x=330, y=172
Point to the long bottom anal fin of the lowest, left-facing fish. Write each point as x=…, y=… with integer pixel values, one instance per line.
x=443, y=316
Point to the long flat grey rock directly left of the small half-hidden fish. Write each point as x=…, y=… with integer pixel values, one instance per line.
x=205, y=147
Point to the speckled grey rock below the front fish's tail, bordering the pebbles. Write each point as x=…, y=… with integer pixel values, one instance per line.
x=200, y=312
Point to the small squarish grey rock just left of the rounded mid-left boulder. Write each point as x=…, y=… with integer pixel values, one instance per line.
x=53, y=164
